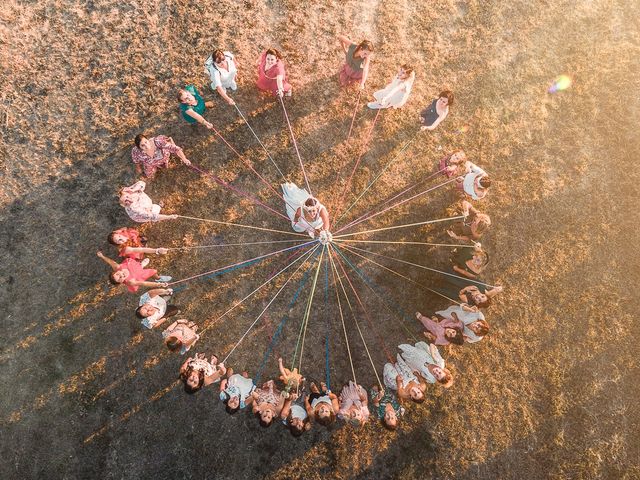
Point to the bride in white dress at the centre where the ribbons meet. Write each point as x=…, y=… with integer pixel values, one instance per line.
x=307, y=214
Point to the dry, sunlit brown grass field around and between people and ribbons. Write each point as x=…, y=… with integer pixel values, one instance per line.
x=552, y=392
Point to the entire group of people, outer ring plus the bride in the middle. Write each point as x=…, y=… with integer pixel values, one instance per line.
x=406, y=379
